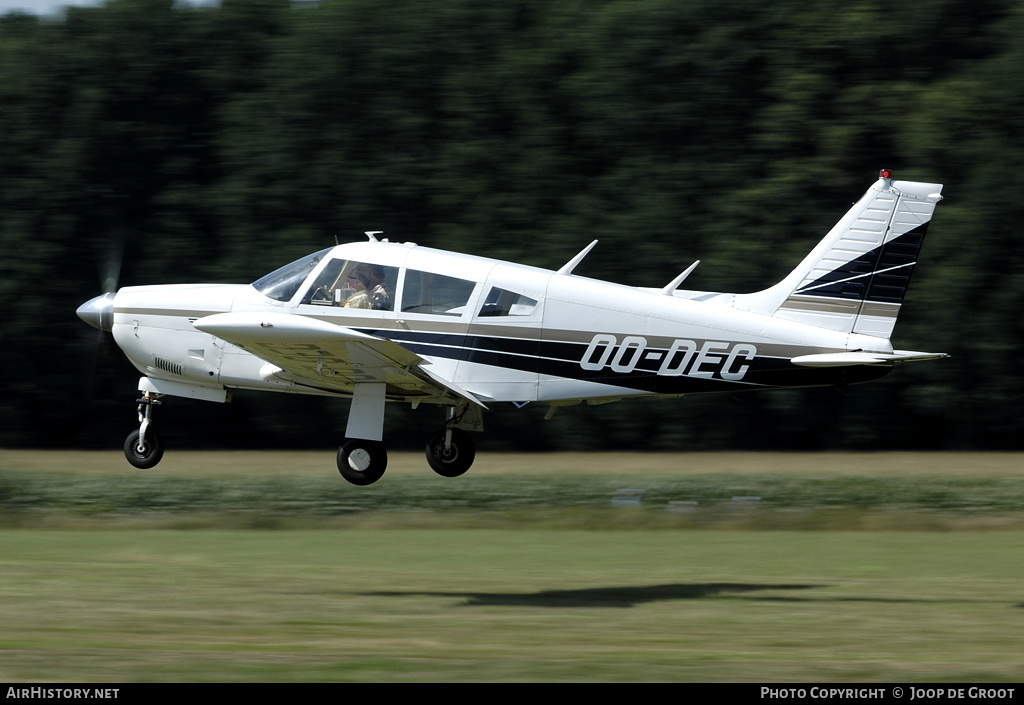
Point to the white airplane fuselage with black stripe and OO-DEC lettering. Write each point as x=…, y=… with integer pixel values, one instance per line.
x=570, y=339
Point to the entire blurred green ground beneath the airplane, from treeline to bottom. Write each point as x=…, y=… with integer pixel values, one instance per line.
x=268, y=567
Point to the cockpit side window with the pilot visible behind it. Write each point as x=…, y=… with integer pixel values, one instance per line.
x=354, y=285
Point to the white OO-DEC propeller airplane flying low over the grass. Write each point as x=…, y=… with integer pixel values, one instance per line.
x=385, y=322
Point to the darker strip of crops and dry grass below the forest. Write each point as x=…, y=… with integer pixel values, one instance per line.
x=304, y=490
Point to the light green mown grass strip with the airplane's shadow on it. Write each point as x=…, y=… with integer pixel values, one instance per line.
x=510, y=605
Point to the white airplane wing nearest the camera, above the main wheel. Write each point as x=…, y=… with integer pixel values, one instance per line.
x=324, y=356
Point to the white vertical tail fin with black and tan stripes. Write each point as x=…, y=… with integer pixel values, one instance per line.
x=856, y=279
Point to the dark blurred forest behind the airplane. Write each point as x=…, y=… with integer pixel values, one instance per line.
x=143, y=143
